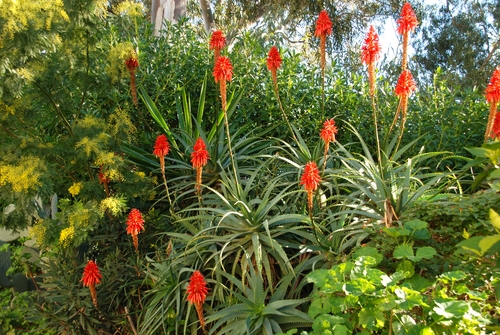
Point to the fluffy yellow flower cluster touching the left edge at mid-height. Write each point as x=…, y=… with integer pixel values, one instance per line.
x=23, y=177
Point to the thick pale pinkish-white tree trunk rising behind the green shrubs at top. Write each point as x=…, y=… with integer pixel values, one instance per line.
x=170, y=10
